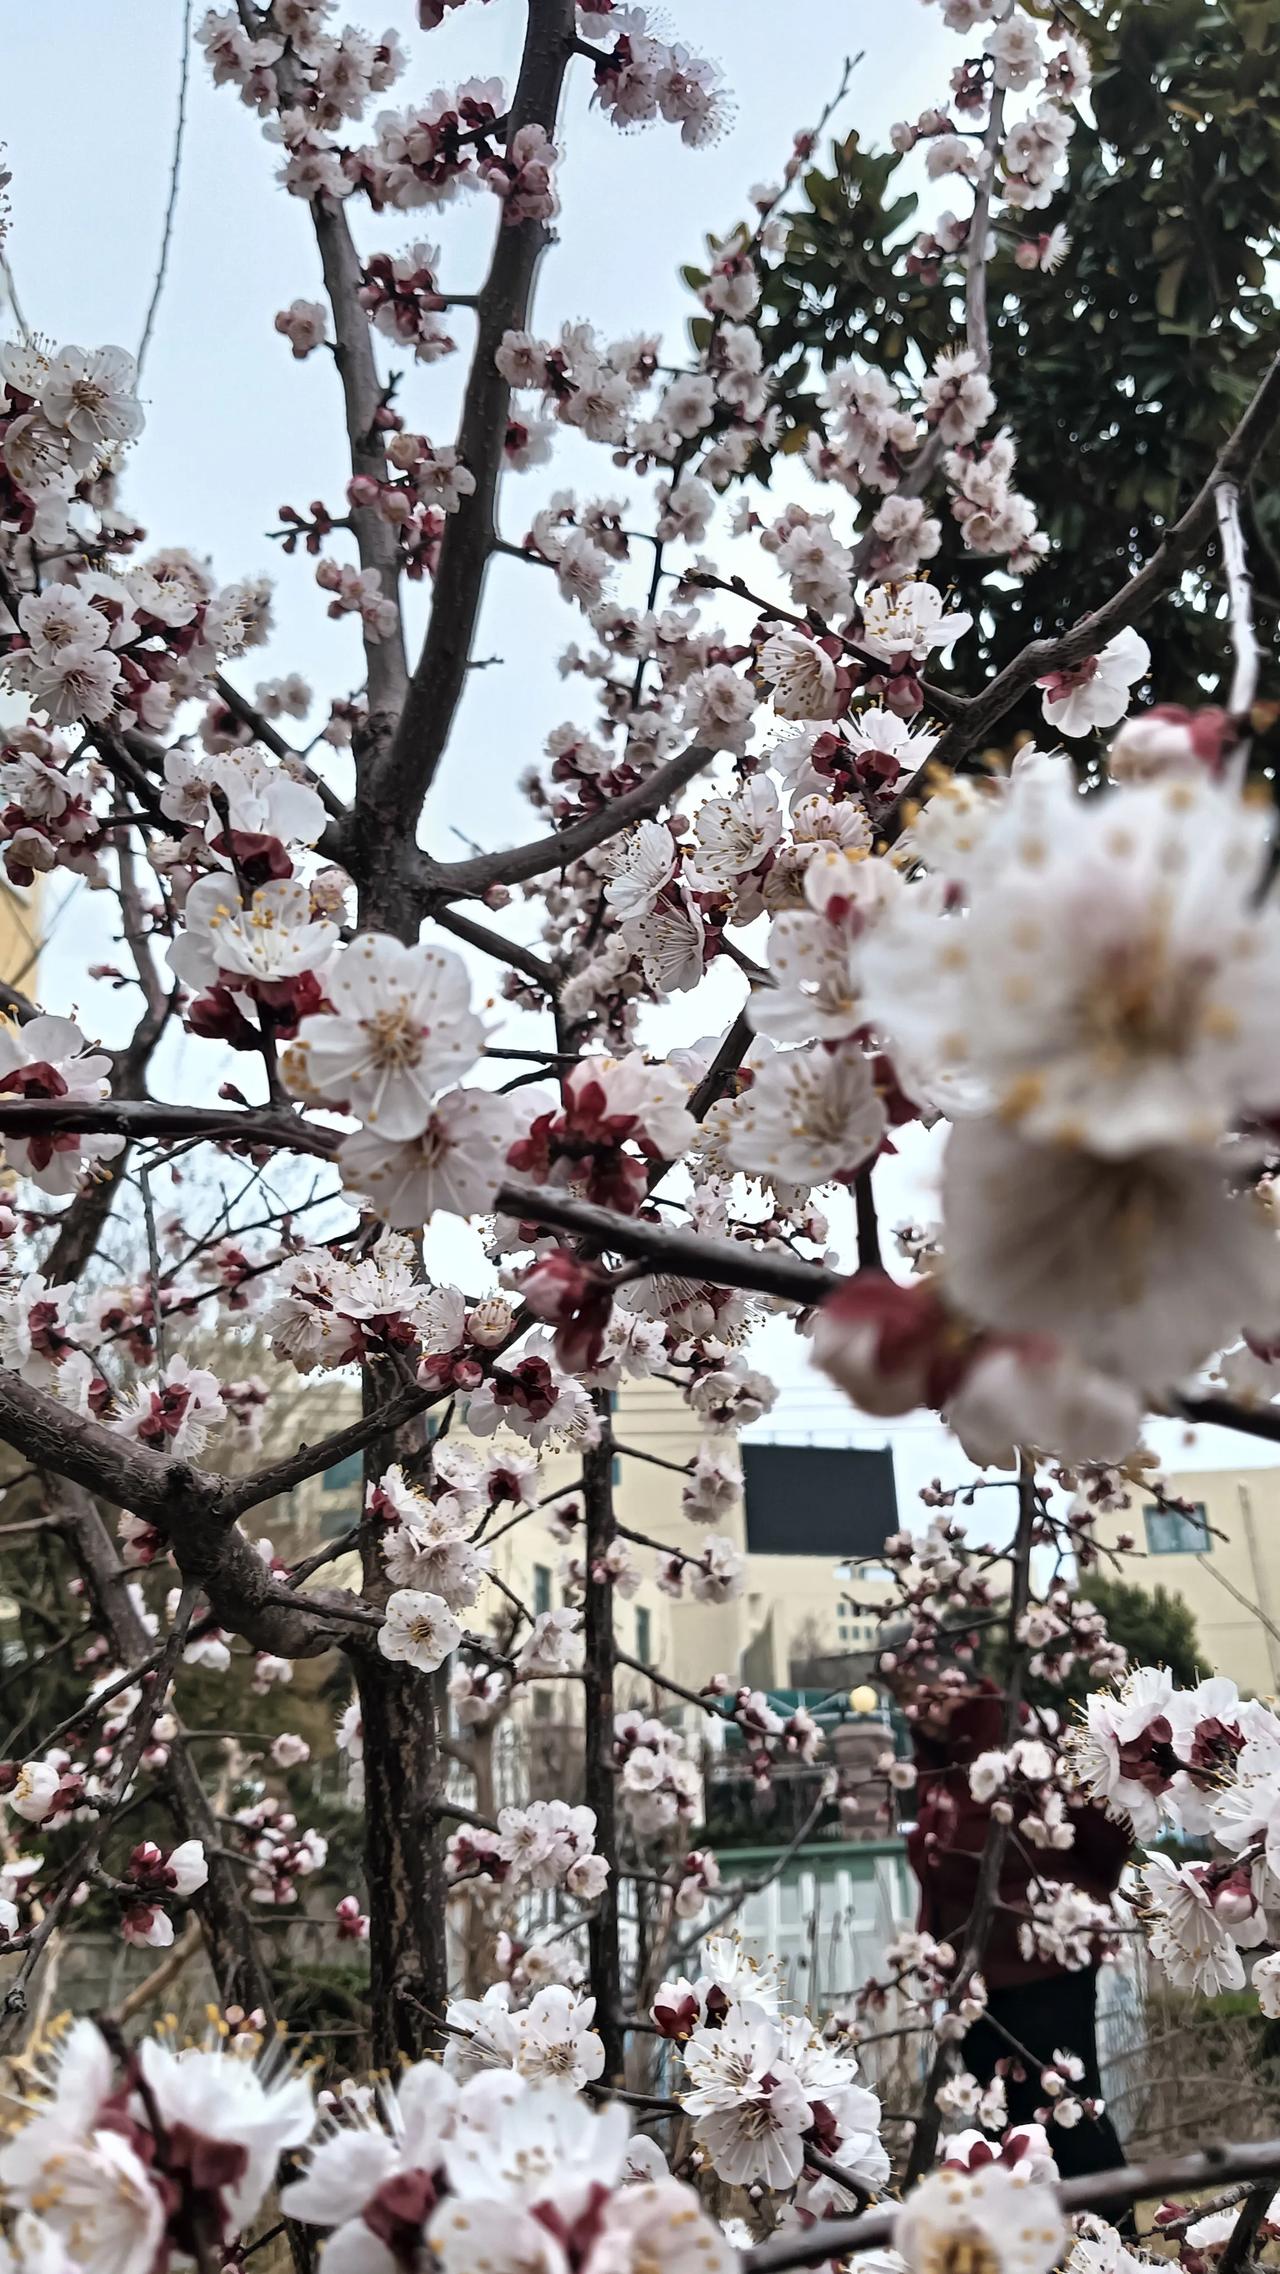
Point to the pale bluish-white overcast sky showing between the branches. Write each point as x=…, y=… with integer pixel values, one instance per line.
x=238, y=429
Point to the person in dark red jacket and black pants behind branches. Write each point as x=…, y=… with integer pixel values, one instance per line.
x=1033, y=2002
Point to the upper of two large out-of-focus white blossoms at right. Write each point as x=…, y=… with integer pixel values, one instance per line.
x=1113, y=977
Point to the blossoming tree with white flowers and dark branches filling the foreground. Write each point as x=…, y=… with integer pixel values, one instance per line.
x=788, y=770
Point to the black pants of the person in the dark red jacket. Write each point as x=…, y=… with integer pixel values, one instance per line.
x=1058, y=2014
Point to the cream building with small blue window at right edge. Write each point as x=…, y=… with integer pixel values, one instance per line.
x=1222, y=1559
